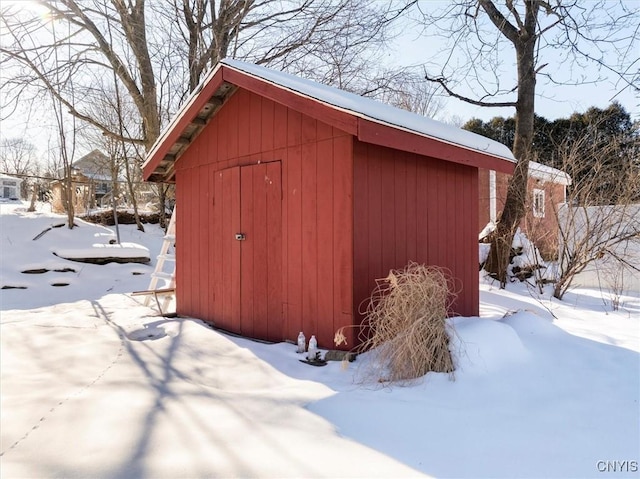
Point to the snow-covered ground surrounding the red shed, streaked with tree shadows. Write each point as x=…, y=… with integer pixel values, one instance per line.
x=94, y=384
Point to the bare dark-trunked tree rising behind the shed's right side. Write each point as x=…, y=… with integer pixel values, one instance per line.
x=534, y=30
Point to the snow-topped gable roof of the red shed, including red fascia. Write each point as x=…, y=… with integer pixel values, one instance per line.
x=368, y=120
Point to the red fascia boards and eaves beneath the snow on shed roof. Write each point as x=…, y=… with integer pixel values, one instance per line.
x=218, y=86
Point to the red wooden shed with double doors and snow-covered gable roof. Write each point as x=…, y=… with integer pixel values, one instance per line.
x=294, y=197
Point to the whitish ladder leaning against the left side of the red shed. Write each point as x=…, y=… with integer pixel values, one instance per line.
x=165, y=270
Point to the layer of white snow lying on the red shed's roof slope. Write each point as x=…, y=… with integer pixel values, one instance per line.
x=375, y=110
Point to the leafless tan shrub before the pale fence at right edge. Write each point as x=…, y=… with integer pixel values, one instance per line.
x=599, y=226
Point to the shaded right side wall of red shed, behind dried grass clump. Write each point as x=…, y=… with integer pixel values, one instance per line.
x=412, y=207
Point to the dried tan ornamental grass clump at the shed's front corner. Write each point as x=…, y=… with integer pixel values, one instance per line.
x=405, y=326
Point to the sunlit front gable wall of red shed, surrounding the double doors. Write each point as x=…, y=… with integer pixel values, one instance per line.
x=317, y=215
